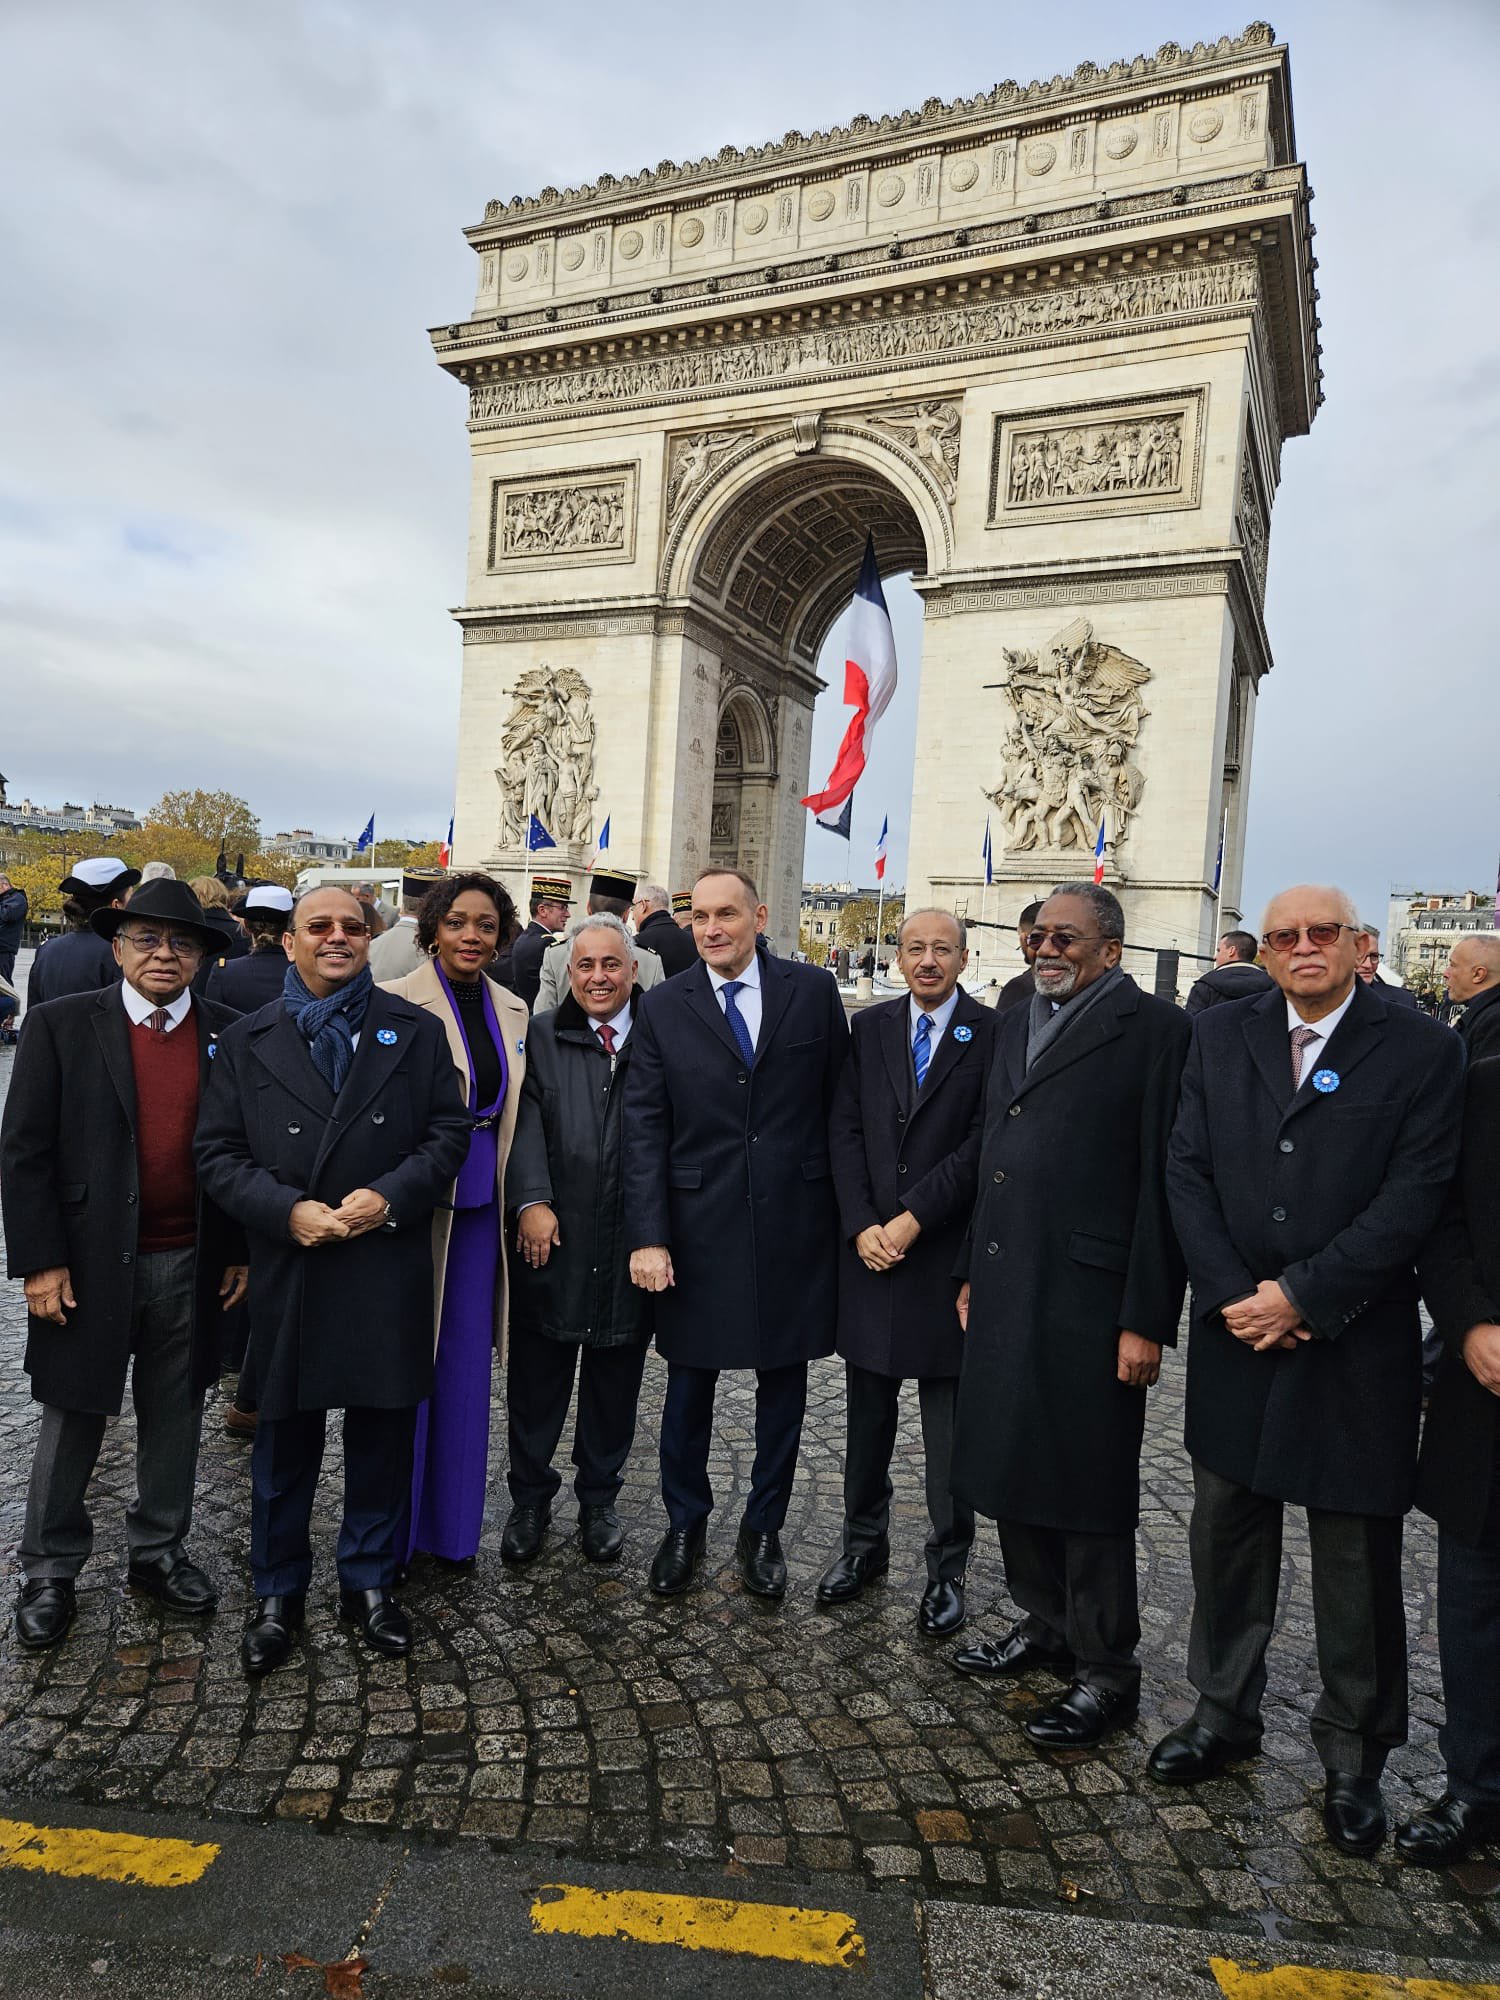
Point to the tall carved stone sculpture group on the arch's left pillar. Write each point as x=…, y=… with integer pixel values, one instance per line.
x=547, y=759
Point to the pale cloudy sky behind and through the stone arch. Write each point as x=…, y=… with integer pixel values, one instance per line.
x=233, y=483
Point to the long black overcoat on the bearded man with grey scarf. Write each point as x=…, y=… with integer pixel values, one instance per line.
x=1071, y=1245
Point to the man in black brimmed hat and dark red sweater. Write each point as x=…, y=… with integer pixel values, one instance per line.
x=127, y=1267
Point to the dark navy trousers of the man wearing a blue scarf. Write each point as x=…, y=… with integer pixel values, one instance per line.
x=285, y=1463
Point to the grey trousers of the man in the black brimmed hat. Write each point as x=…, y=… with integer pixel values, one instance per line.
x=59, y=1533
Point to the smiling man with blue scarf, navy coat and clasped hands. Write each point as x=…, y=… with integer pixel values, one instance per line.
x=333, y=1131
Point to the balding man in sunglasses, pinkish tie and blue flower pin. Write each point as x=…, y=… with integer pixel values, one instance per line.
x=1317, y=1135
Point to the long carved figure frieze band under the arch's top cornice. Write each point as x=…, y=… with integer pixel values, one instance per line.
x=945, y=331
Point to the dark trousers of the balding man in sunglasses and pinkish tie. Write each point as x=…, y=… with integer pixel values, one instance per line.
x=1357, y=1613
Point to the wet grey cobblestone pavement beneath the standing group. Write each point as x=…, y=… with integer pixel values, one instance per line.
x=569, y=1711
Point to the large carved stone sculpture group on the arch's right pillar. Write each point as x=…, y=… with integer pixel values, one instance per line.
x=1071, y=741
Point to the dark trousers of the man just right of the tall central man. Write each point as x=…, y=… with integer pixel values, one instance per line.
x=871, y=1437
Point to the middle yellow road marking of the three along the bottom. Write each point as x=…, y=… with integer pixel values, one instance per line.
x=699, y=1925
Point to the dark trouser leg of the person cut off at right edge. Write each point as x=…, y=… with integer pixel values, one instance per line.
x=1469, y=1649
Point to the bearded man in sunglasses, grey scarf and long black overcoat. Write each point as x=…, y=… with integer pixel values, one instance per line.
x=1073, y=1287
